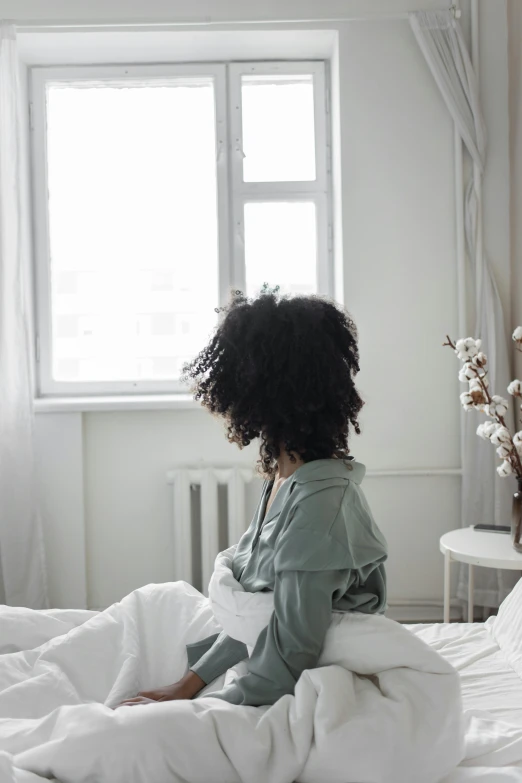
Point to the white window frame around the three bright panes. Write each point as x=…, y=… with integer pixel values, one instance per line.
x=232, y=193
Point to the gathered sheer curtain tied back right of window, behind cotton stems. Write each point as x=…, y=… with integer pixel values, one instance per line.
x=485, y=496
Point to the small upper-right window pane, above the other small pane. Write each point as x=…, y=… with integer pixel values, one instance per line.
x=278, y=128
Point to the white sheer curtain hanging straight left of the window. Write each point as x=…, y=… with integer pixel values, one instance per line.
x=22, y=573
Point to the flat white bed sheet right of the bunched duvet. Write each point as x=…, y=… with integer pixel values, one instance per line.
x=492, y=701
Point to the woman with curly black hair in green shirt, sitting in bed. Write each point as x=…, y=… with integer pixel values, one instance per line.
x=281, y=369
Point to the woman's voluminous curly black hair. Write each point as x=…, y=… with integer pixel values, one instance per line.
x=281, y=368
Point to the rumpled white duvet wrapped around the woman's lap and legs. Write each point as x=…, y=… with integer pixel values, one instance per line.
x=382, y=707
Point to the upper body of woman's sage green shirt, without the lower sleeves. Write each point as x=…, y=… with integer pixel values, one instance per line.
x=319, y=521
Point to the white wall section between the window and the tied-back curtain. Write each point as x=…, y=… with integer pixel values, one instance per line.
x=400, y=285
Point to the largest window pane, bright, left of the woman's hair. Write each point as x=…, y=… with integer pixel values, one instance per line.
x=133, y=227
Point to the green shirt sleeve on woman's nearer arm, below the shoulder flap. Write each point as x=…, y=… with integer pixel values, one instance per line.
x=291, y=642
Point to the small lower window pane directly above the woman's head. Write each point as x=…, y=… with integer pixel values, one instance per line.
x=281, y=246
